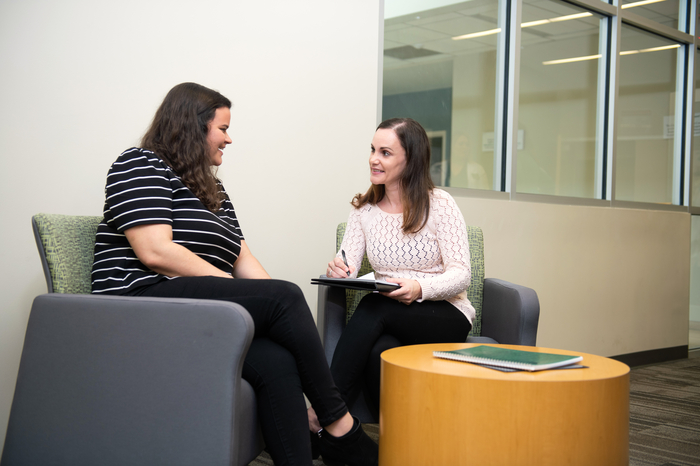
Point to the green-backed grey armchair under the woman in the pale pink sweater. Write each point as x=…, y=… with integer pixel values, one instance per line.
x=505, y=313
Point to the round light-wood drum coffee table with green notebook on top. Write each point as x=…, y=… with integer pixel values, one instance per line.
x=448, y=413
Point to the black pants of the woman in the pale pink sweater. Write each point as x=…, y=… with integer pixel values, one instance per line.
x=380, y=323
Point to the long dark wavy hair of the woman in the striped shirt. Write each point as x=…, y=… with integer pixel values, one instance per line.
x=178, y=135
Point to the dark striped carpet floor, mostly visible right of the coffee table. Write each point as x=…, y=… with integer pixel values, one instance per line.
x=664, y=415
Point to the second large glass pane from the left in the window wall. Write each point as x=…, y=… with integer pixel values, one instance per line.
x=559, y=67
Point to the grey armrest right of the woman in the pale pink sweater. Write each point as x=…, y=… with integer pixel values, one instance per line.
x=510, y=314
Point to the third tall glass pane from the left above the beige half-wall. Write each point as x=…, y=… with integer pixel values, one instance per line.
x=645, y=121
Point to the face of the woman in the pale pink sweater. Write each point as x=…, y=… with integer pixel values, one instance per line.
x=387, y=159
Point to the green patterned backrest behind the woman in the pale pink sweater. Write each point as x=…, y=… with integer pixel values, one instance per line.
x=475, y=292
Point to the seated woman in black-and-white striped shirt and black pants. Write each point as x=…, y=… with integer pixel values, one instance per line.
x=170, y=230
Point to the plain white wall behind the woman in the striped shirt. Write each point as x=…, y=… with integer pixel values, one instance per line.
x=81, y=80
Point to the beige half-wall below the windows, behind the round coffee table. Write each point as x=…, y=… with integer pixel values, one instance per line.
x=610, y=281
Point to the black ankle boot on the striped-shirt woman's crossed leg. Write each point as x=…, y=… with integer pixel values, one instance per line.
x=352, y=449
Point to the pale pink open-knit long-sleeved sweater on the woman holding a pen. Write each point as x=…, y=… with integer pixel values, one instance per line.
x=437, y=256
